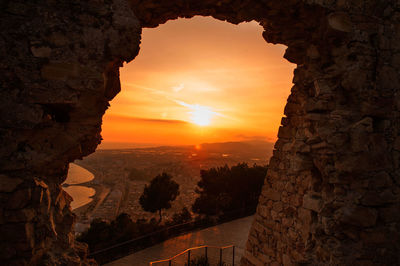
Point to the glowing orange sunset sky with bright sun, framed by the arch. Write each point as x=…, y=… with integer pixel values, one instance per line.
x=200, y=71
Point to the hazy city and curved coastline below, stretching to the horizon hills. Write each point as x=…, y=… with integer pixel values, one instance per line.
x=117, y=177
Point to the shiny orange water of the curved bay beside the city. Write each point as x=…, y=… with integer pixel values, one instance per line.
x=81, y=195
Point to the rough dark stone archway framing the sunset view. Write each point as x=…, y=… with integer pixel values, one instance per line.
x=332, y=193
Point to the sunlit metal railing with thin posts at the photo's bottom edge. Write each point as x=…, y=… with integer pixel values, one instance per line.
x=209, y=254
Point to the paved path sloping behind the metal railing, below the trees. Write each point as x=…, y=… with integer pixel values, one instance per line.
x=231, y=233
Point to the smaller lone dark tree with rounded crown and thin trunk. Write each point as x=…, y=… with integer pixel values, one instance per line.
x=159, y=194
